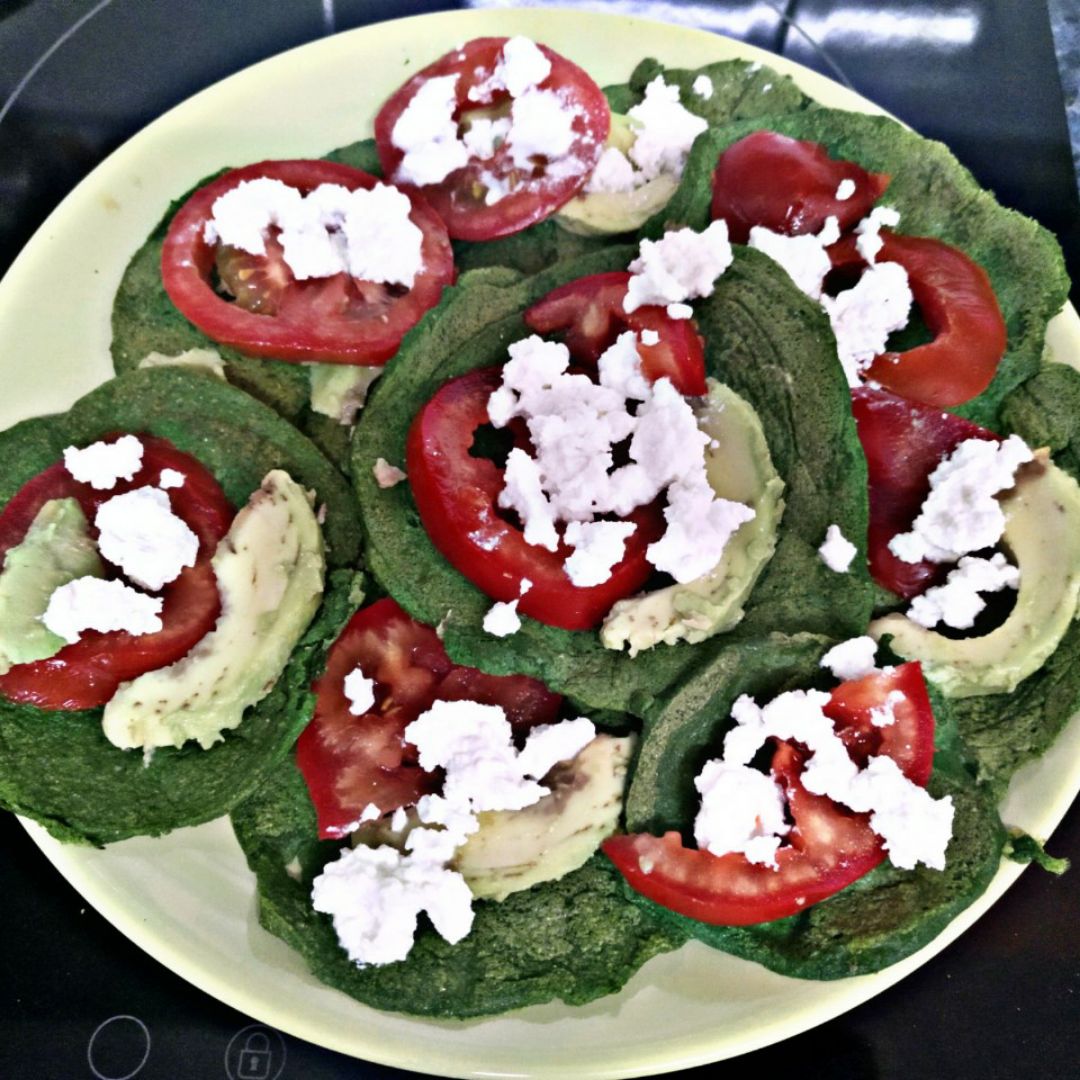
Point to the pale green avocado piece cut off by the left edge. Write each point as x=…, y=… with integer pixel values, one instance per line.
x=57, y=549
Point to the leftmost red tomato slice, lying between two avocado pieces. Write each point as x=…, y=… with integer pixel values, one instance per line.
x=87, y=674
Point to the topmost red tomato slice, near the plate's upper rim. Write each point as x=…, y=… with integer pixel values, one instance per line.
x=460, y=199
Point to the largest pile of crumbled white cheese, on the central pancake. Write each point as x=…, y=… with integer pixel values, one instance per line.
x=575, y=426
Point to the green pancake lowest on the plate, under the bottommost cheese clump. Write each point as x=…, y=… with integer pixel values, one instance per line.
x=572, y=940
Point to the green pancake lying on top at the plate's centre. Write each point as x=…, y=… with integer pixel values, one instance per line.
x=764, y=341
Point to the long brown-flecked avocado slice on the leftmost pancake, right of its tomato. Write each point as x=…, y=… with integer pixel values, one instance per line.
x=269, y=571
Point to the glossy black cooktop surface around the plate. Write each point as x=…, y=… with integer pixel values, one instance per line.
x=78, y=1000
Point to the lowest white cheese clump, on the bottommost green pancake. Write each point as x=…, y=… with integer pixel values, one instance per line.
x=375, y=897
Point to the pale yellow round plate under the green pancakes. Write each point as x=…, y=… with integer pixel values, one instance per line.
x=188, y=899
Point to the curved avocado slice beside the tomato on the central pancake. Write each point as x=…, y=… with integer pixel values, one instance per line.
x=739, y=468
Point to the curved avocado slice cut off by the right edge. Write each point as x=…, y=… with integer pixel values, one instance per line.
x=1043, y=533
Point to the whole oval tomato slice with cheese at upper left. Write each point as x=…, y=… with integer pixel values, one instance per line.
x=337, y=320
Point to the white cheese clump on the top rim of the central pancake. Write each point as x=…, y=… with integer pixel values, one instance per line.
x=681, y=267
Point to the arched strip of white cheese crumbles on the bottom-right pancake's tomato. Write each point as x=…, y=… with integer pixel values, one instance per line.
x=914, y=827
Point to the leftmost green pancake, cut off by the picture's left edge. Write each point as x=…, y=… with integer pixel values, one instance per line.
x=58, y=767
